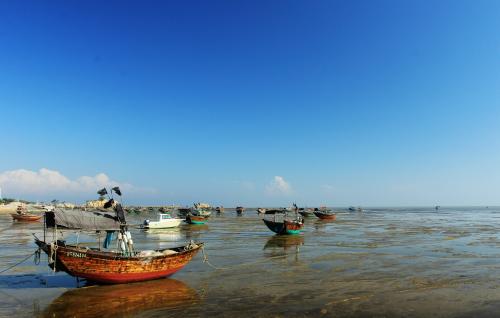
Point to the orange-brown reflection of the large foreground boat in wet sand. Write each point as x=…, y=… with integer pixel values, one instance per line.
x=120, y=300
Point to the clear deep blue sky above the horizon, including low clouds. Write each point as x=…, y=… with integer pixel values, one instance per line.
x=252, y=102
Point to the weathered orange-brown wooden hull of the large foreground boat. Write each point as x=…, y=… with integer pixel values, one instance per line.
x=115, y=268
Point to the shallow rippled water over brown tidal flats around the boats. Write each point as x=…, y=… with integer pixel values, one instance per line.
x=376, y=263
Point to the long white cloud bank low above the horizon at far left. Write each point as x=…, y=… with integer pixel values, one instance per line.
x=23, y=183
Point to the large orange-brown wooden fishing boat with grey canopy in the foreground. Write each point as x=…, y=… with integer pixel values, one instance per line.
x=124, y=265
